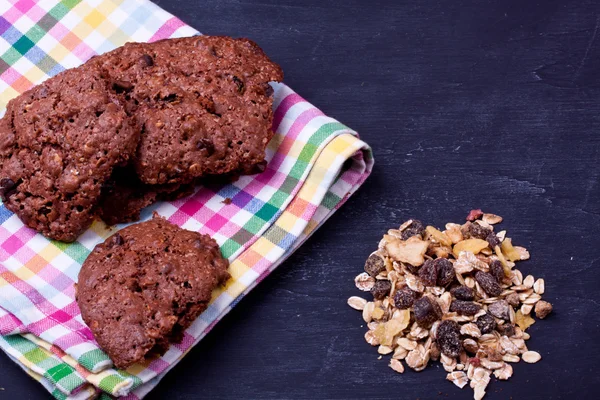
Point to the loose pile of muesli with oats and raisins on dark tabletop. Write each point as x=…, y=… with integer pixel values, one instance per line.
x=452, y=295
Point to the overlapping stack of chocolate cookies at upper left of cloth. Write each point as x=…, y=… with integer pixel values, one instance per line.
x=139, y=124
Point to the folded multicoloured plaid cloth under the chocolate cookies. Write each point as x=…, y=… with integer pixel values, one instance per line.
x=315, y=163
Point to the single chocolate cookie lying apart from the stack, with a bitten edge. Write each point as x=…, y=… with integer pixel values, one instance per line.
x=140, y=289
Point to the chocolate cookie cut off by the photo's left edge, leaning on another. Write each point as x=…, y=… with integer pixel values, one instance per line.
x=59, y=143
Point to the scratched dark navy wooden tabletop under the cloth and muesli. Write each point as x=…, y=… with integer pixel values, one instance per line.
x=467, y=104
